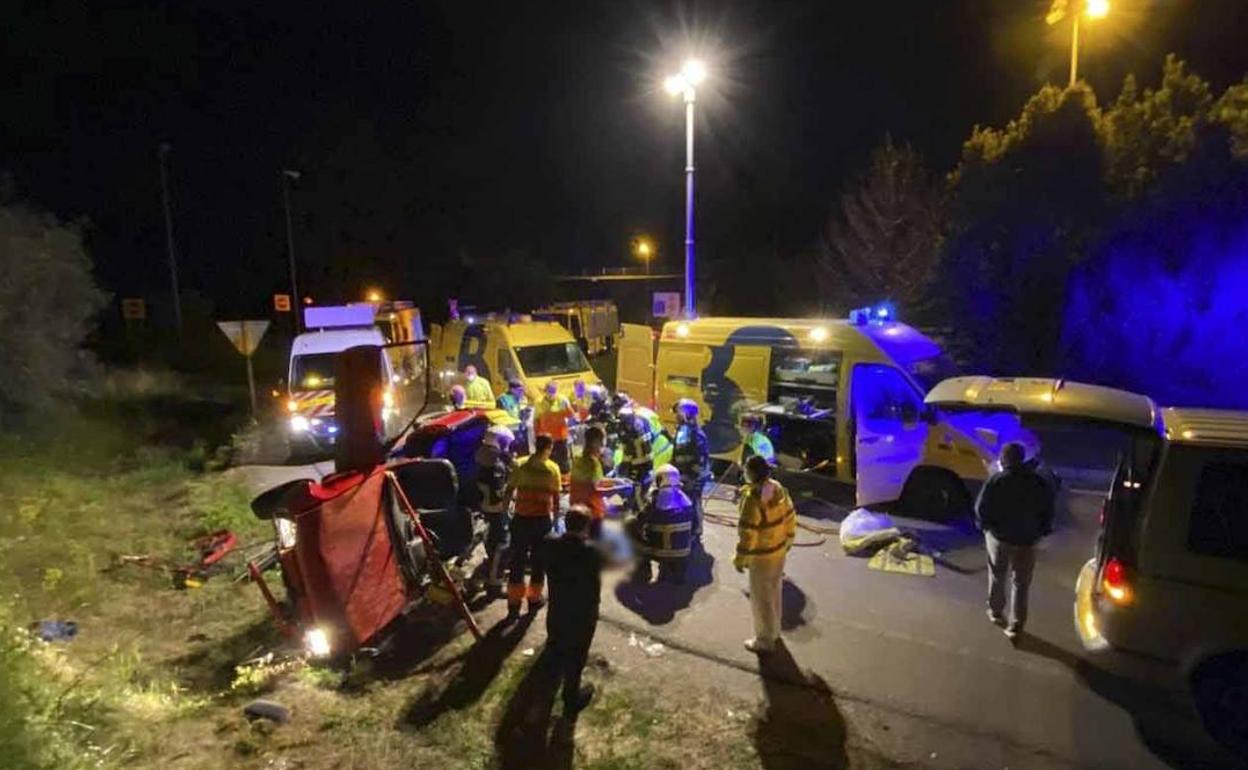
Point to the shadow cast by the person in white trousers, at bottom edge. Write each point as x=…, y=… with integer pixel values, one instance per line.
x=801, y=727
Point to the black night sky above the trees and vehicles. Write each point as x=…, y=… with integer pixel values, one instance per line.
x=431, y=130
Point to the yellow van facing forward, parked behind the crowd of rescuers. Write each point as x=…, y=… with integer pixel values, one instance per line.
x=535, y=353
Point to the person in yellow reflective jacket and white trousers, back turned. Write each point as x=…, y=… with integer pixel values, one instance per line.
x=766, y=532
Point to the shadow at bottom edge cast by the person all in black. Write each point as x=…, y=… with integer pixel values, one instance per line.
x=526, y=739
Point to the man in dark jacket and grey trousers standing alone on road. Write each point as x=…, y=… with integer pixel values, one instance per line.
x=1015, y=511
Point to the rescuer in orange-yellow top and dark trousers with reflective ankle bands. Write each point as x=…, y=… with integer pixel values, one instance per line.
x=536, y=485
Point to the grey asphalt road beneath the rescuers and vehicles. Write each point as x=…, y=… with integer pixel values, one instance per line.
x=922, y=648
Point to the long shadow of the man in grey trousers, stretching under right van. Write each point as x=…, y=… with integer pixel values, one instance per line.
x=1166, y=724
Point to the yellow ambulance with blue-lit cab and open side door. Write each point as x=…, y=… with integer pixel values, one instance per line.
x=839, y=397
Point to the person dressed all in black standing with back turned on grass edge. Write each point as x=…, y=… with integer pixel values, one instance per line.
x=575, y=571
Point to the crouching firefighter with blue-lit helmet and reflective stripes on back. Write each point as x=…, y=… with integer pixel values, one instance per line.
x=663, y=530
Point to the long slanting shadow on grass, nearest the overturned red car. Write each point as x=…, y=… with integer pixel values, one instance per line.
x=469, y=677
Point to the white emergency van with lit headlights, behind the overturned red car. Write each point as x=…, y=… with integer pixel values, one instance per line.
x=311, y=424
